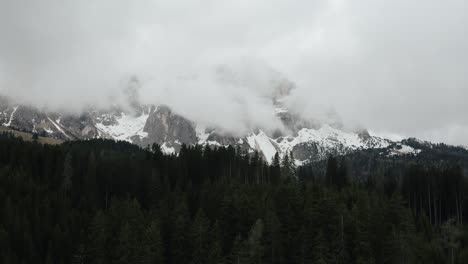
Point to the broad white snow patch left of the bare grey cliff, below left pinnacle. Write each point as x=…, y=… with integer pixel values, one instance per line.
x=126, y=127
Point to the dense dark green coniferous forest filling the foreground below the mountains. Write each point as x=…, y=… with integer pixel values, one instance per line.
x=101, y=201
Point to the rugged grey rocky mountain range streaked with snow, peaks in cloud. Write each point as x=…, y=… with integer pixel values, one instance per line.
x=143, y=125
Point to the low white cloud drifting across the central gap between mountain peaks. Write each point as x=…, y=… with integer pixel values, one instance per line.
x=235, y=98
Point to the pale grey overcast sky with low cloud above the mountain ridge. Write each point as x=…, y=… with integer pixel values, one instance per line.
x=396, y=67
